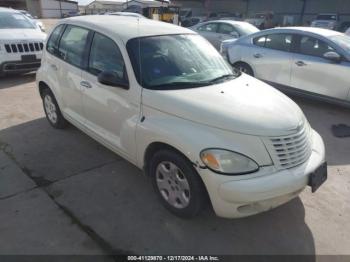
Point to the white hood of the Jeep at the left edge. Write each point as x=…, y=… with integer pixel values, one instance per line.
x=21, y=34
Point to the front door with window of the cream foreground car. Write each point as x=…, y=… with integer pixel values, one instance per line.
x=111, y=111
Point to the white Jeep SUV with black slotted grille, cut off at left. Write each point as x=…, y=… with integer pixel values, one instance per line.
x=21, y=43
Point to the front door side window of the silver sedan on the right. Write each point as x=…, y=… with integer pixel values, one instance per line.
x=313, y=46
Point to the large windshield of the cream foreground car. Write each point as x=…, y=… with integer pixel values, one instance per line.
x=177, y=62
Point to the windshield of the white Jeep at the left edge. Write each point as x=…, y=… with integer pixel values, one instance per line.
x=14, y=20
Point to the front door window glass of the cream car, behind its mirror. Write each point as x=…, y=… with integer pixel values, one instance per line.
x=105, y=56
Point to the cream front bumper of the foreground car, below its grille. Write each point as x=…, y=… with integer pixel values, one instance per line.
x=241, y=196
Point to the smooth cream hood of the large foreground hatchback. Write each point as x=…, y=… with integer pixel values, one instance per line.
x=244, y=105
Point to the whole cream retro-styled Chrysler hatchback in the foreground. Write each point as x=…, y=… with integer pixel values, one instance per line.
x=163, y=98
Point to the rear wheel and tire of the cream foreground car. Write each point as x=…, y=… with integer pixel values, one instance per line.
x=52, y=110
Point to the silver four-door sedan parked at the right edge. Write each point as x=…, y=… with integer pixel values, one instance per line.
x=304, y=59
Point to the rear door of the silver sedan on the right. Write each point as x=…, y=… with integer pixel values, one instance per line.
x=271, y=57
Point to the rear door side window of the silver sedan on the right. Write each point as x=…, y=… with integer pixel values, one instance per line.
x=281, y=42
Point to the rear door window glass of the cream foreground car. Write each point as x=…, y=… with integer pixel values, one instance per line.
x=72, y=45
